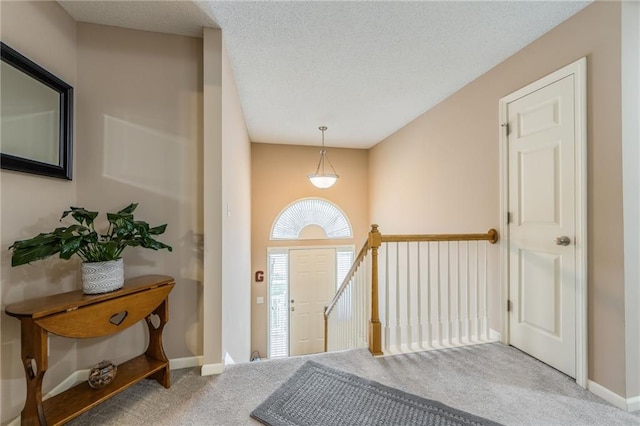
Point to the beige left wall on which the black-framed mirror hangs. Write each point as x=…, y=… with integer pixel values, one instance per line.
x=43, y=32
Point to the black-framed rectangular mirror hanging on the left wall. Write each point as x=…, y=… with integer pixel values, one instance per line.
x=36, y=108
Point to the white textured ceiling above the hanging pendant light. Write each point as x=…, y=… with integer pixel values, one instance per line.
x=362, y=68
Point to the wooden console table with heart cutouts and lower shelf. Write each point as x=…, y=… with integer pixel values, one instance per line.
x=78, y=315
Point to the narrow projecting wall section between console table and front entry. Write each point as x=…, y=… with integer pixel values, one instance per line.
x=227, y=213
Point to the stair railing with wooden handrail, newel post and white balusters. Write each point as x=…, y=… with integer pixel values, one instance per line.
x=429, y=290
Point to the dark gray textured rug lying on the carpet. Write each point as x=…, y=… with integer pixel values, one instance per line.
x=318, y=395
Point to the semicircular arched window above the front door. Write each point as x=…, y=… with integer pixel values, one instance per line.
x=311, y=218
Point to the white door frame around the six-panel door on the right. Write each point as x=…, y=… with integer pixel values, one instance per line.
x=579, y=70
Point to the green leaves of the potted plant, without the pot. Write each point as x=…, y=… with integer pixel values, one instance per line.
x=83, y=240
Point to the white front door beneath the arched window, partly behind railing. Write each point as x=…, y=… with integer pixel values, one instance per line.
x=311, y=288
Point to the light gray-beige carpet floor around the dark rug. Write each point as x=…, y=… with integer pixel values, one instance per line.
x=492, y=381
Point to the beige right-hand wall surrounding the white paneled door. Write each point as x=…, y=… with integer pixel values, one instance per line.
x=447, y=162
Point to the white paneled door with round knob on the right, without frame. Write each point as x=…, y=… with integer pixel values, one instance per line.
x=542, y=194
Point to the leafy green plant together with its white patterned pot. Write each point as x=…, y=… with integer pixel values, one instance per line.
x=102, y=267
